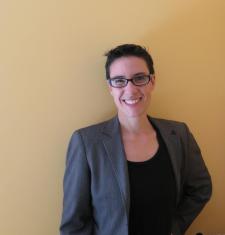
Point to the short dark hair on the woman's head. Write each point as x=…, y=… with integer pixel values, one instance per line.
x=128, y=50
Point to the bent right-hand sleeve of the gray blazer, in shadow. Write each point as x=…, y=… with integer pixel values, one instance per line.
x=196, y=188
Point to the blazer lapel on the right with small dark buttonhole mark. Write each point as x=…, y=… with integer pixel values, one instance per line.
x=172, y=142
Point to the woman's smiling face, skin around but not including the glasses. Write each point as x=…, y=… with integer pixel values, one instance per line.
x=131, y=101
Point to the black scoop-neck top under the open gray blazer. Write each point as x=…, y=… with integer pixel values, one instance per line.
x=152, y=194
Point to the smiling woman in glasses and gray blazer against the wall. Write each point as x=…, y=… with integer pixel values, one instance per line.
x=133, y=174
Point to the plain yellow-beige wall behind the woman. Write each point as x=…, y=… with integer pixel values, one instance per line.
x=52, y=82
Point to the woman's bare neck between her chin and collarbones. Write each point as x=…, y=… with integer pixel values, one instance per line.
x=135, y=125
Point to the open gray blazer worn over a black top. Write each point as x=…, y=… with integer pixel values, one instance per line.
x=96, y=183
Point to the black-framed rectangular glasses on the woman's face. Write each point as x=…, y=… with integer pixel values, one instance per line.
x=138, y=80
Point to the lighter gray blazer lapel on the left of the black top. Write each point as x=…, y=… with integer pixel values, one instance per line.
x=114, y=147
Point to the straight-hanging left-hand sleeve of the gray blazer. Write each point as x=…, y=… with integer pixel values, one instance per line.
x=77, y=214
